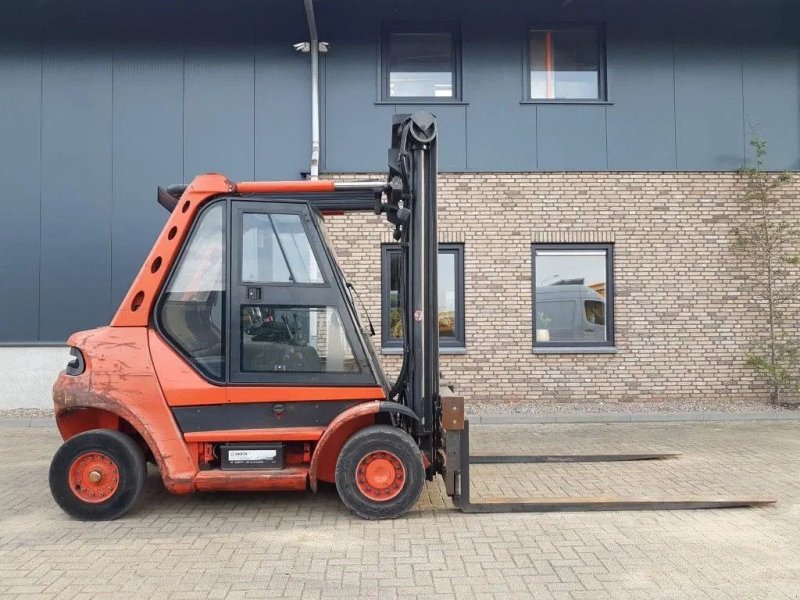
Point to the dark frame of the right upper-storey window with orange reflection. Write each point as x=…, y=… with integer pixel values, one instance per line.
x=602, y=56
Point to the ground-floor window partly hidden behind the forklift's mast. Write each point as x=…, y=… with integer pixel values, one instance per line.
x=450, y=290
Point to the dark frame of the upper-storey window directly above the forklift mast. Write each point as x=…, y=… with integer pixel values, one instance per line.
x=387, y=29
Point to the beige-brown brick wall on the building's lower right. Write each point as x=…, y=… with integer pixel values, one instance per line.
x=683, y=311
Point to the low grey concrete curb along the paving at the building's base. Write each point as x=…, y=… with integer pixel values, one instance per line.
x=666, y=417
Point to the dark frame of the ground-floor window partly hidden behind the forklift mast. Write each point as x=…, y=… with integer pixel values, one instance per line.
x=459, y=341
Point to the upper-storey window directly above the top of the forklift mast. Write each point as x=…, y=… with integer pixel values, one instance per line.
x=421, y=63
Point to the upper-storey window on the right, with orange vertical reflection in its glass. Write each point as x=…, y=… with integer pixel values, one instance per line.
x=566, y=64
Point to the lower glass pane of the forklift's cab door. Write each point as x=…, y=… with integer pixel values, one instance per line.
x=295, y=339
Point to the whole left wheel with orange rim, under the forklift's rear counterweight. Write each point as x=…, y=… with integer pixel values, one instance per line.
x=97, y=475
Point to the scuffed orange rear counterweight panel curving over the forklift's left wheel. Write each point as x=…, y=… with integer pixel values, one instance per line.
x=119, y=378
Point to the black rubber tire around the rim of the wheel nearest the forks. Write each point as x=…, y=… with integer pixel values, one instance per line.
x=380, y=438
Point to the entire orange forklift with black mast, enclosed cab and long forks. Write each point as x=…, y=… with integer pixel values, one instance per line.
x=238, y=362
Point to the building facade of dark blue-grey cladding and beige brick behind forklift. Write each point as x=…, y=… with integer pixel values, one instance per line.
x=588, y=150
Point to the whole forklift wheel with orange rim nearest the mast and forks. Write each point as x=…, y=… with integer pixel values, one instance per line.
x=379, y=474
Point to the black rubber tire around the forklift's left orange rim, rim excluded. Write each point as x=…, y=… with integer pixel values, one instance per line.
x=131, y=469
